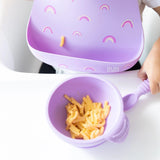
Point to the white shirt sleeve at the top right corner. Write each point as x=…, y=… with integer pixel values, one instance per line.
x=149, y=3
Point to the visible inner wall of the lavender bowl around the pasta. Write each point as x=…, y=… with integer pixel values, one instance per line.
x=78, y=87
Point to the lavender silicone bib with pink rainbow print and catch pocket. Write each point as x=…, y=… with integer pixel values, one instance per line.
x=100, y=36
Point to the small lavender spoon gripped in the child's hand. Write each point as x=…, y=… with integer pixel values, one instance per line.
x=131, y=99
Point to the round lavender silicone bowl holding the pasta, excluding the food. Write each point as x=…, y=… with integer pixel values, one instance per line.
x=99, y=90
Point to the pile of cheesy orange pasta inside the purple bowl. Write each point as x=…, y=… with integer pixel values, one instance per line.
x=86, y=120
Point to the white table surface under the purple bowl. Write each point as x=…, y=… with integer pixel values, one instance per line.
x=26, y=134
